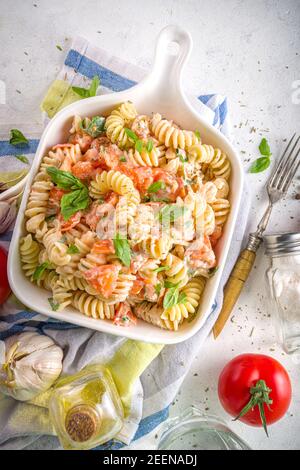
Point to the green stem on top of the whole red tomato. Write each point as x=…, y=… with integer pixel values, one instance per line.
x=260, y=395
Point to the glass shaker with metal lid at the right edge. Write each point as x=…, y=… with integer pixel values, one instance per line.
x=283, y=278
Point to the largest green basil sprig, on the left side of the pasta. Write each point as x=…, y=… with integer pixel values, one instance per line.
x=78, y=197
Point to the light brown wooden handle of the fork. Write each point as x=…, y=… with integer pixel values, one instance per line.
x=233, y=288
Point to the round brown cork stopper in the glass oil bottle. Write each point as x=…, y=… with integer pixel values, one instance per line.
x=81, y=423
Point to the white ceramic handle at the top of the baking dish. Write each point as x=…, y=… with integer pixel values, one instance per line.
x=173, y=48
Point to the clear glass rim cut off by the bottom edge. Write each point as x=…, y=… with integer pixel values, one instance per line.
x=195, y=430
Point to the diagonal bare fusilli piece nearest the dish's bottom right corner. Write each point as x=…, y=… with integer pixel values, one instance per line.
x=179, y=312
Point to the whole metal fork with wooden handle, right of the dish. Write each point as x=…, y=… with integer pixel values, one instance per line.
x=277, y=186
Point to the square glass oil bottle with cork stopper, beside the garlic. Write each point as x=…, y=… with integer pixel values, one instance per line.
x=85, y=409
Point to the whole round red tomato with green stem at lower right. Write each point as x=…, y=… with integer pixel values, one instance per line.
x=255, y=388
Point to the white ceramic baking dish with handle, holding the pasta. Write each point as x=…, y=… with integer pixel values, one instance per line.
x=161, y=91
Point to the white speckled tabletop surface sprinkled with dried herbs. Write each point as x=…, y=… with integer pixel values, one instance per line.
x=245, y=49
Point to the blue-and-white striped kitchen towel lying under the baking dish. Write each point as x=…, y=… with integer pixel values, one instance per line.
x=159, y=384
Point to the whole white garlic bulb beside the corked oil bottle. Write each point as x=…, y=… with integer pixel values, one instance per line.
x=31, y=364
